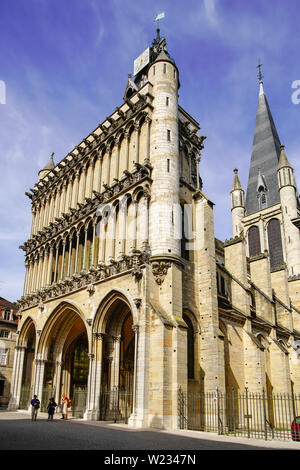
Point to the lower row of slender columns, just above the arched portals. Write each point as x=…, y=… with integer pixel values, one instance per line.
x=52, y=265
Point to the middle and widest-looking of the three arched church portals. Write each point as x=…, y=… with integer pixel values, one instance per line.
x=64, y=363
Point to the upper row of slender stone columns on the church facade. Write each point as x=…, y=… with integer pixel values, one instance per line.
x=104, y=166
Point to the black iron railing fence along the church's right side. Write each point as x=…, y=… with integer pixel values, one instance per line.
x=247, y=414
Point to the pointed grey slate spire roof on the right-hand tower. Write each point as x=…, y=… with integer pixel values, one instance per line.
x=265, y=156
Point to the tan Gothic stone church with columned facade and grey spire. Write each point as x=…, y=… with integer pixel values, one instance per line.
x=119, y=296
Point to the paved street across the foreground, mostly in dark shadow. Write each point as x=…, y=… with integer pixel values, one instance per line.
x=18, y=432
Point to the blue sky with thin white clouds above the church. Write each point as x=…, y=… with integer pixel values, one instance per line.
x=64, y=67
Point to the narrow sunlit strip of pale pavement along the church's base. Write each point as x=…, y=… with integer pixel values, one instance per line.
x=274, y=444
